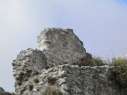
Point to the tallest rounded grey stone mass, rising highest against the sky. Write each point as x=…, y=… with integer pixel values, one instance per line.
x=61, y=46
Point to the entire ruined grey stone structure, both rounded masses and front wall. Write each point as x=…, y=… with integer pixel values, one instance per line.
x=58, y=50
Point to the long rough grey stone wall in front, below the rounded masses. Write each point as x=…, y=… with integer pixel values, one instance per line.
x=74, y=80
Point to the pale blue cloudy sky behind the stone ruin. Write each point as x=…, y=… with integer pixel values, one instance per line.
x=100, y=24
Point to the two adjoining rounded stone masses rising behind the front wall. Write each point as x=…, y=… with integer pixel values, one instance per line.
x=56, y=47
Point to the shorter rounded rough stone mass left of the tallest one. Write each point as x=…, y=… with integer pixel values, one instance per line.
x=28, y=63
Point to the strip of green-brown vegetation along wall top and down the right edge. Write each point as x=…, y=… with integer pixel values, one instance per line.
x=118, y=70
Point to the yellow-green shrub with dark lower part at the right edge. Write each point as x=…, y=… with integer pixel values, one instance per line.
x=119, y=72
